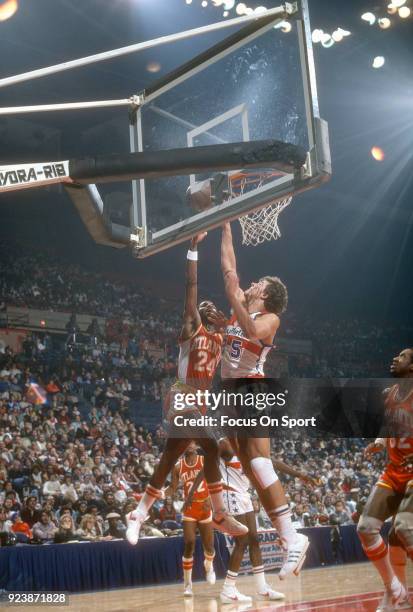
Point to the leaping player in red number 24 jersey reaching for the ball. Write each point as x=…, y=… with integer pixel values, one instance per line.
x=199, y=356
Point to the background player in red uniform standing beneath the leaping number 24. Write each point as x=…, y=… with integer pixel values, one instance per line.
x=196, y=515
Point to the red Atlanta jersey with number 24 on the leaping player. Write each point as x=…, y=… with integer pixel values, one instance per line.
x=199, y=357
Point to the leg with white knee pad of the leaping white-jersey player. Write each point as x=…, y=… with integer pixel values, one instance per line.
x=255, y=456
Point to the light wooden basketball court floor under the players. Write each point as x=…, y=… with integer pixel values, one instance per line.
x=348, y=588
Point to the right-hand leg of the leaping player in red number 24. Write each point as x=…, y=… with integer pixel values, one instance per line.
x=222, y=521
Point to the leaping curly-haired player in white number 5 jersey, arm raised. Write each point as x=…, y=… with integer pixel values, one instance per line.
x=249, y=338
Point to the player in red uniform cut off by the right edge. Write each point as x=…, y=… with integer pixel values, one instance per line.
x=393, y=493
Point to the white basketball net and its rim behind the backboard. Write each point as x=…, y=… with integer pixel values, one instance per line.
x=260, y=225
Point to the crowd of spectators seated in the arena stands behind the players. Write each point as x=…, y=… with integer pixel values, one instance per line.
x=72, y=466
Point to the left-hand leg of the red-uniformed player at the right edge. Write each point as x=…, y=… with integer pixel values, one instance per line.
x=382, y=503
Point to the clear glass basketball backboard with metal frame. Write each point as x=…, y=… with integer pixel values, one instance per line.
x=257, y=85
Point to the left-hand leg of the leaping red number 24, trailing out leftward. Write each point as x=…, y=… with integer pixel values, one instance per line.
x=173, y=450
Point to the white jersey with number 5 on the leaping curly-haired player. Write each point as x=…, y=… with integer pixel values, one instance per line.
x=241, y=357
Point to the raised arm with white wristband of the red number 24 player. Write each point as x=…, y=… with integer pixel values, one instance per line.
x=191, y=318
